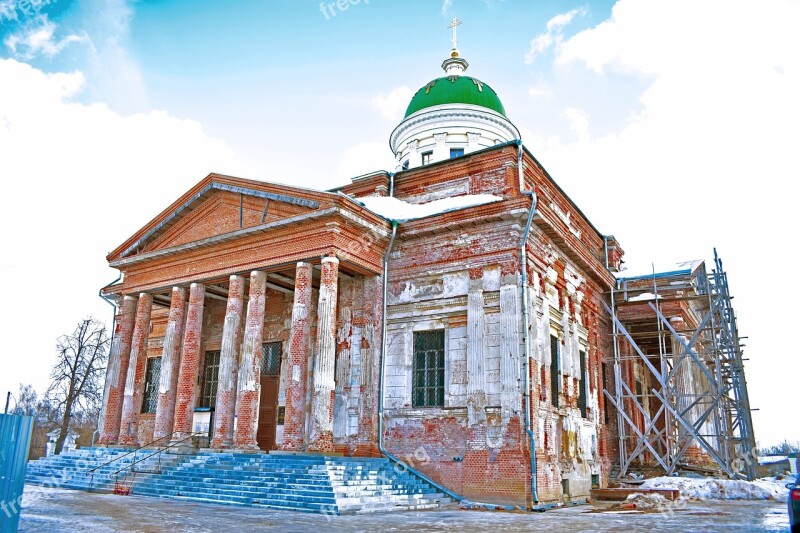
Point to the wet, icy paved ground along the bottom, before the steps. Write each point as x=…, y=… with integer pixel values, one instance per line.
x=57, y=510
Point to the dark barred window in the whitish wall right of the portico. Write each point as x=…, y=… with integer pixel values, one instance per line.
x=428, y=369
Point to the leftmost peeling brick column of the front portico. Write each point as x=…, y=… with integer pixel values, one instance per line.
x=117, y=371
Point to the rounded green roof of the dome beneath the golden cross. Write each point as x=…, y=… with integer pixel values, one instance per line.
x=455, y=90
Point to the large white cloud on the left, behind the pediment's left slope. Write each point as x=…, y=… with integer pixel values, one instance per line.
x=78, y=180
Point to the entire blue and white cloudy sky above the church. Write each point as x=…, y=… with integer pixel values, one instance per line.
x=673, y=124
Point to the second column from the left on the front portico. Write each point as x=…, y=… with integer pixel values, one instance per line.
x=134, y=382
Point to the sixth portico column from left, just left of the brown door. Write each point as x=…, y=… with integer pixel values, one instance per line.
x=249, y=388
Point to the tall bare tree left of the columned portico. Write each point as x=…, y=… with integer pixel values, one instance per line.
x=78, y=374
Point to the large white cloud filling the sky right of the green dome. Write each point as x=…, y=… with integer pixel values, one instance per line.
x=708, y=161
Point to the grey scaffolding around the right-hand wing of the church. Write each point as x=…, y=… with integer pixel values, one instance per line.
x=678, y=385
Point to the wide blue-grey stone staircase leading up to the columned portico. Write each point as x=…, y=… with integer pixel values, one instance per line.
x=309, y=483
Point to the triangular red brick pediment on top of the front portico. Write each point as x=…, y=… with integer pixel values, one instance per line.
x=220, y=205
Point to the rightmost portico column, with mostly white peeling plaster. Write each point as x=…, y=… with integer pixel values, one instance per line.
x=321, y=434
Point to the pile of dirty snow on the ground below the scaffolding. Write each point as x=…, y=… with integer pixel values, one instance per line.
x=721, y=489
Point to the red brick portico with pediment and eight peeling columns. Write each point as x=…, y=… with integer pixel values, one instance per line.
x=239, y=323
